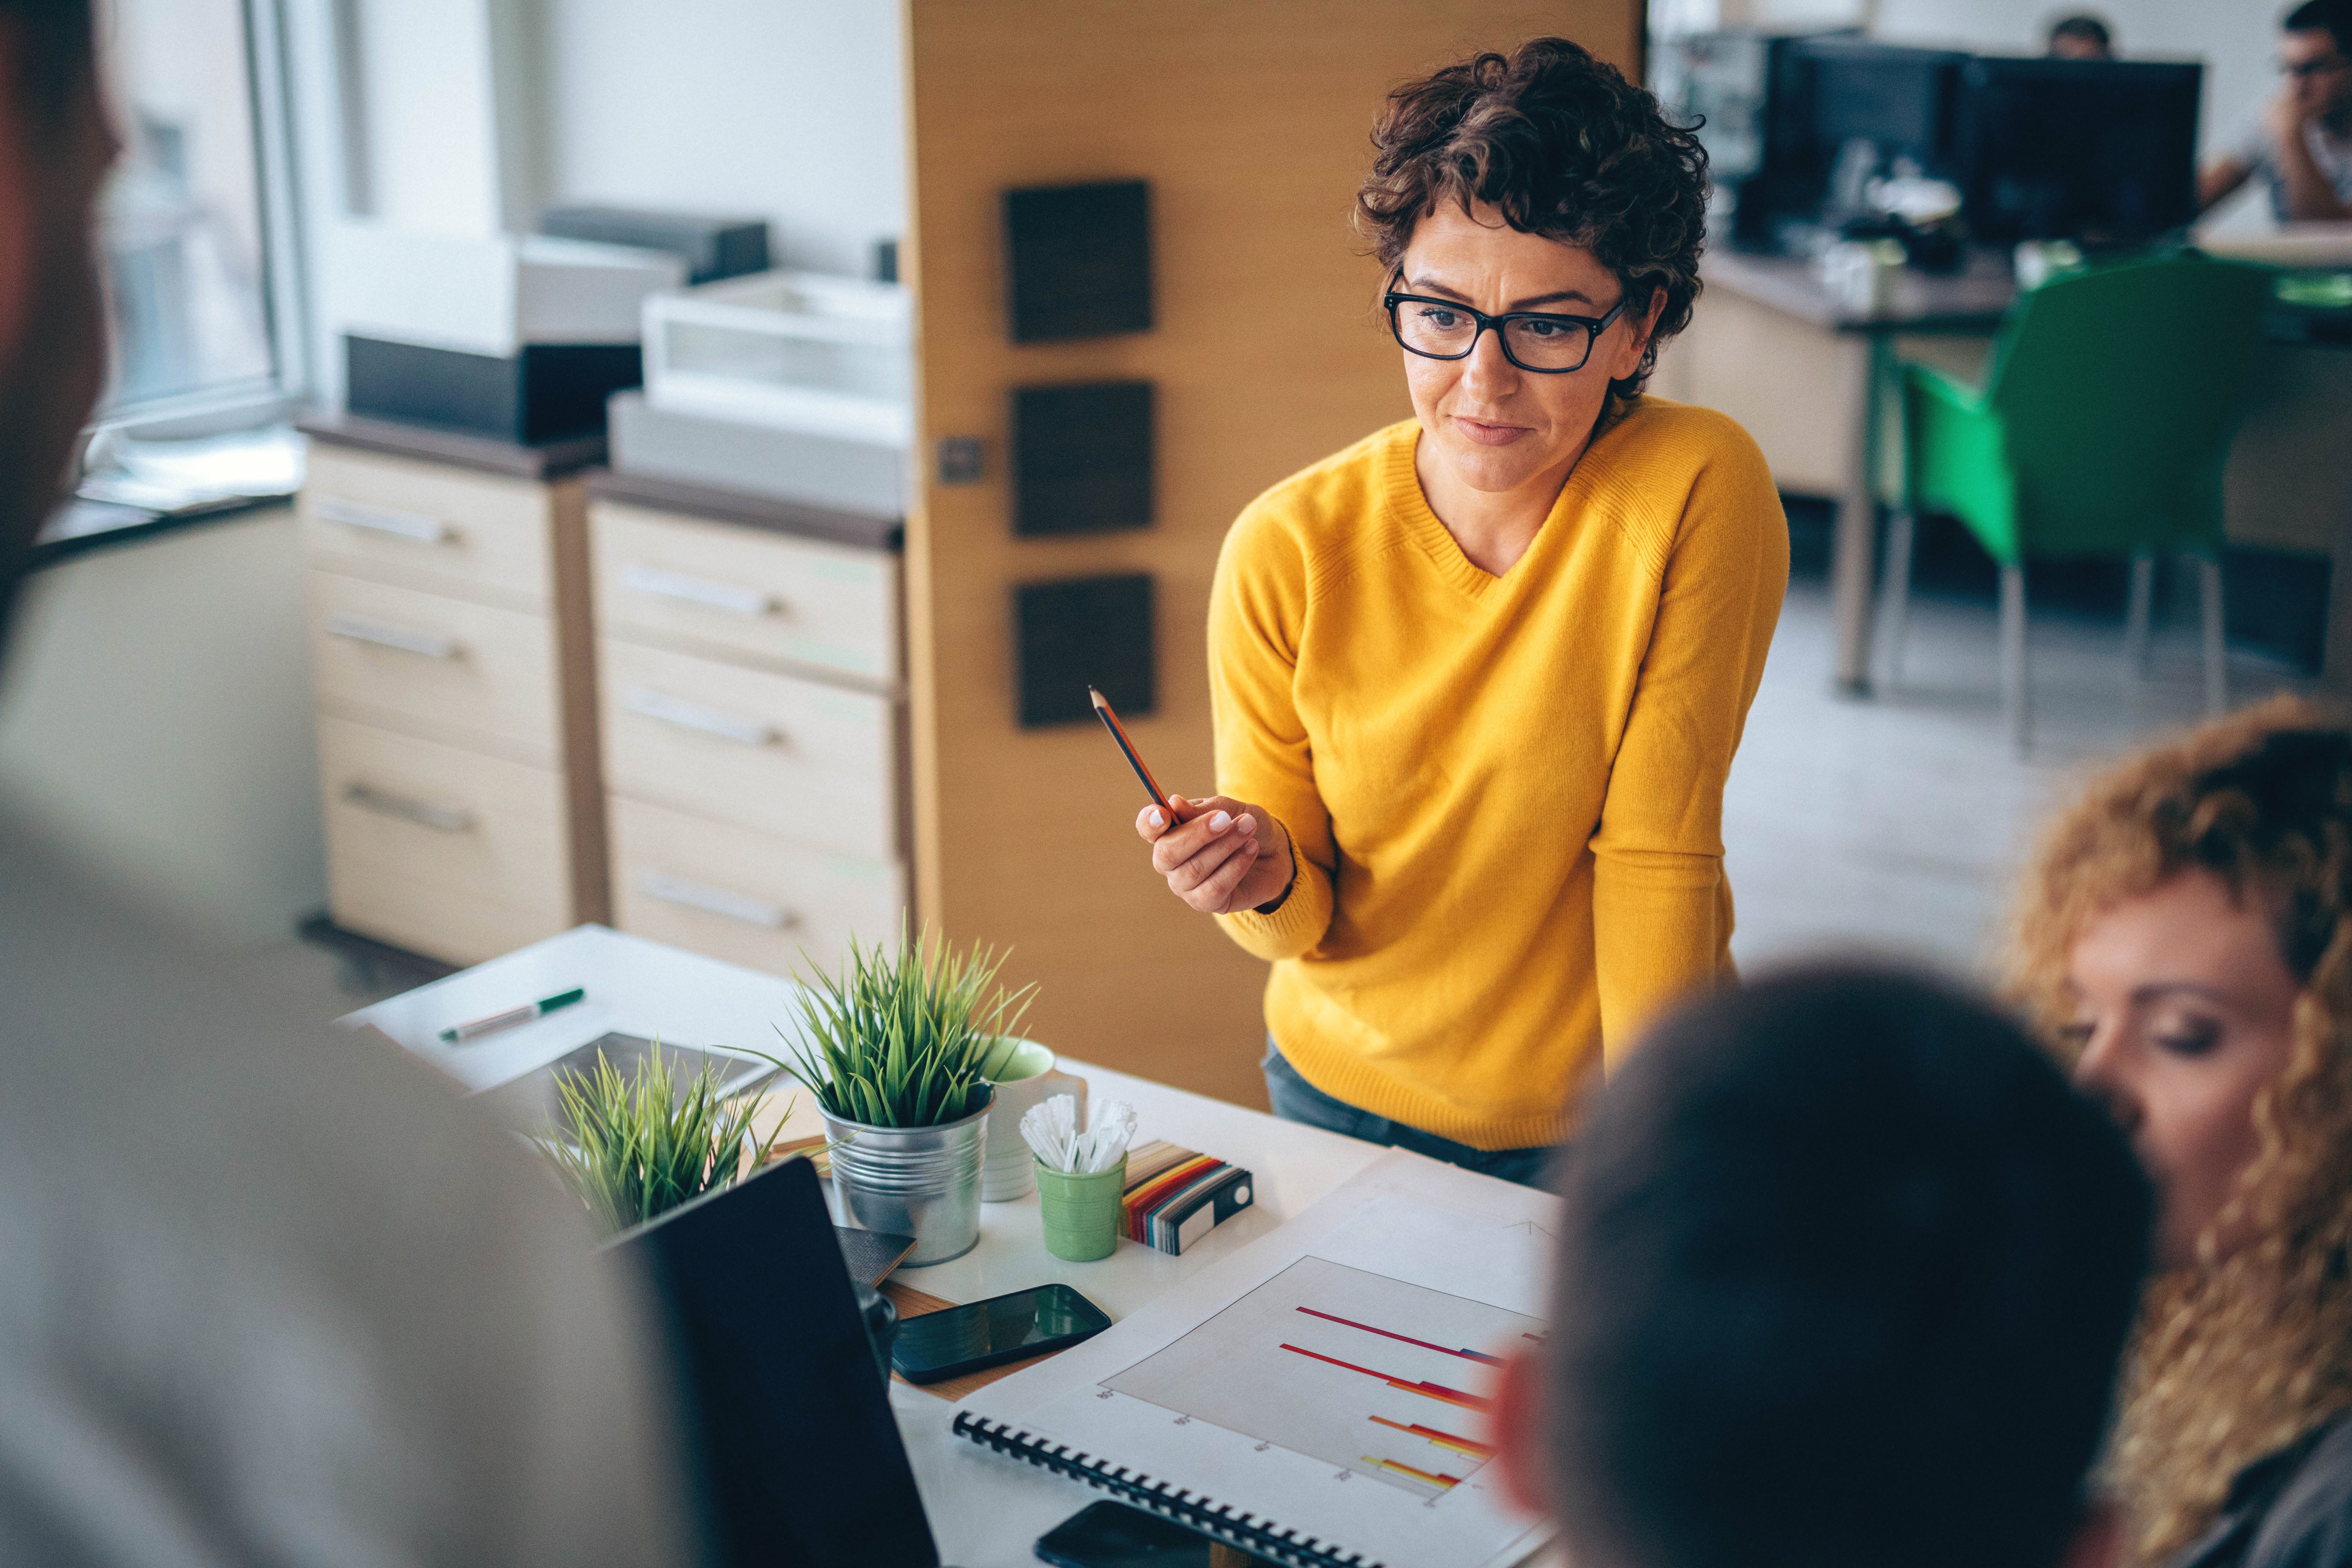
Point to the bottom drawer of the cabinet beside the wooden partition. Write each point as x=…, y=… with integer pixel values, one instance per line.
x=744, y=897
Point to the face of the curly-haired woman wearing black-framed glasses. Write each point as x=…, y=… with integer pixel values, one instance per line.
x=1492, y=424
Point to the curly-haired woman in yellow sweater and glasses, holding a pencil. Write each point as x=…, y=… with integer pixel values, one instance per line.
x=1478, y=678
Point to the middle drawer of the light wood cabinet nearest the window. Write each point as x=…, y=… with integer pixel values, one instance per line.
x=448, y=669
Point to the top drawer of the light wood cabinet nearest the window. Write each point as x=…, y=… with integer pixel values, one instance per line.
x=429, y=525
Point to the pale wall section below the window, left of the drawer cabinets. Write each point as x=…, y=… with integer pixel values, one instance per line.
x=156, y=718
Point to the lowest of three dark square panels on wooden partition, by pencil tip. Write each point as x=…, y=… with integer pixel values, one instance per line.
x=1076, y=634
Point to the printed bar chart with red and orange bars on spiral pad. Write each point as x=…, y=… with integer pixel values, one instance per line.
x=1368, y=1374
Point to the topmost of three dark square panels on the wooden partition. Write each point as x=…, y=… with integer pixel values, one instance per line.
x=1078, y=262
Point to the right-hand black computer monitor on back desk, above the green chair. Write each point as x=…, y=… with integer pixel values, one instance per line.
x=2078, y=149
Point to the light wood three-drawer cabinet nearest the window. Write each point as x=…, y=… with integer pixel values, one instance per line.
x=455, y=681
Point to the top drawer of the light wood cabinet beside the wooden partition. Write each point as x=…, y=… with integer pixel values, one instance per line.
x=735, y=591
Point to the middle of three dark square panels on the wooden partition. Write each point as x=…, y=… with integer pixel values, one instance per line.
x=1083, y=457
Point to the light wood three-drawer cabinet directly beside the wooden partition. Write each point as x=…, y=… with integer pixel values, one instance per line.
x=754, y=721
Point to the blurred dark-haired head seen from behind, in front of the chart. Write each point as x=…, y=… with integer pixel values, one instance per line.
x=1843, y=1280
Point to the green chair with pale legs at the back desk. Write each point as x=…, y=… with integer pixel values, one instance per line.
x=2102, y=431
